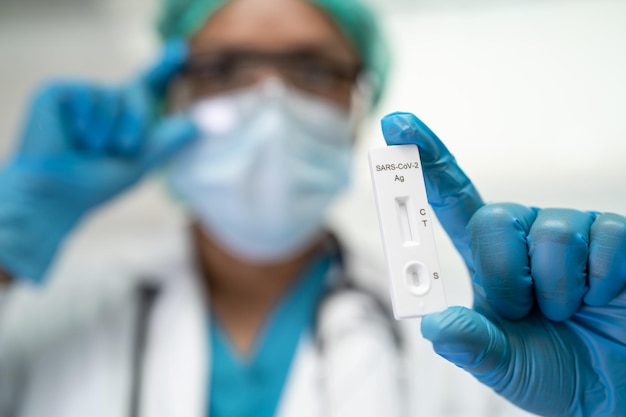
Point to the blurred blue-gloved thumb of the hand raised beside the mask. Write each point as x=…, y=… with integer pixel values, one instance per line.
x=168, y=137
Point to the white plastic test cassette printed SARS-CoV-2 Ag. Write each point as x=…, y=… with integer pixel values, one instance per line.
x=406, y=229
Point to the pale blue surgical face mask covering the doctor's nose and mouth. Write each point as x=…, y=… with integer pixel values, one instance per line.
x=270, y=162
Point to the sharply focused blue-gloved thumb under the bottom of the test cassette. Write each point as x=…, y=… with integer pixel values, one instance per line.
x=468, y=340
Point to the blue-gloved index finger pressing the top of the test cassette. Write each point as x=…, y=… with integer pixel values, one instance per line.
x=450, y=192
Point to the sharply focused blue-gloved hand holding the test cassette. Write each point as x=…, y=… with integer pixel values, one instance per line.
x=548, y=327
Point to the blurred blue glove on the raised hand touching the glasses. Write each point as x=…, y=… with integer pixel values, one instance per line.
x=80, y=146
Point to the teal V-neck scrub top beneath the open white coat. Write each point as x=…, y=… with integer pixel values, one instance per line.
x=251, y=386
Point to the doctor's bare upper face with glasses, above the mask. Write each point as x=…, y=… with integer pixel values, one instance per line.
x=247, y=41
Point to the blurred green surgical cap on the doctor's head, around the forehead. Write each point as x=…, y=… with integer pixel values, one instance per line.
x=182, y=18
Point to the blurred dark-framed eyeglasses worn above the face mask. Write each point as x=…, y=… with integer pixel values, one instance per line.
x=213, y=73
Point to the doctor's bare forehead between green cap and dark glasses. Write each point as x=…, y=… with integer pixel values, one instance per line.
x=271, y=25
